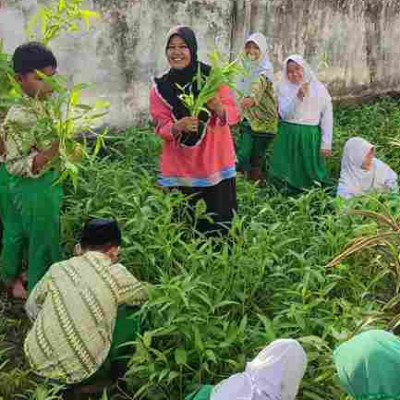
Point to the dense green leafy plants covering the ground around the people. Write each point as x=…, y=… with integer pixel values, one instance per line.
x=215, y=306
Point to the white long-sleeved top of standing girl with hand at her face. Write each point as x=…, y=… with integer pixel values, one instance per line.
x=315, y=109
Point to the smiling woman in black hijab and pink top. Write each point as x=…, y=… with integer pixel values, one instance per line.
x=198, y=153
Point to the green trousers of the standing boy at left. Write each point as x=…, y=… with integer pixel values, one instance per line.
x=30, y=209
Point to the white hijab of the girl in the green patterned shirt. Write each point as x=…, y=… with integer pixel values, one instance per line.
x=255, y=69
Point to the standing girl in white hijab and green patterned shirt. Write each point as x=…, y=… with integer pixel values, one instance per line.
x=259, y=107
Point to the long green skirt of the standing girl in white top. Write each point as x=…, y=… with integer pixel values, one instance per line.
x=296, y=160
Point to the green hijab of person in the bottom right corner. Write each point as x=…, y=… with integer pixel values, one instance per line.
x=369, y=366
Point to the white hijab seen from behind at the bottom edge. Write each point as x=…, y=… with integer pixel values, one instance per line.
x=275, y=374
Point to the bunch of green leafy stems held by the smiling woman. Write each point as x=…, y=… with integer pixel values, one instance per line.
x=221, y=74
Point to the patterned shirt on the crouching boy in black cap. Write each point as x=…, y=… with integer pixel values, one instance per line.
x=74, y=308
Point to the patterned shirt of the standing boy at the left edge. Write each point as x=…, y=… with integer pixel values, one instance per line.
x=19, y=143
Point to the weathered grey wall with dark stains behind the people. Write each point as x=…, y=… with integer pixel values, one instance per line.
x=127, y=47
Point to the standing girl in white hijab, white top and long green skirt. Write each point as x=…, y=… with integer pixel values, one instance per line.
x=305, y=129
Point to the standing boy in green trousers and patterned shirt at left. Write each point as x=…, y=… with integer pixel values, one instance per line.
x=30, y=202
